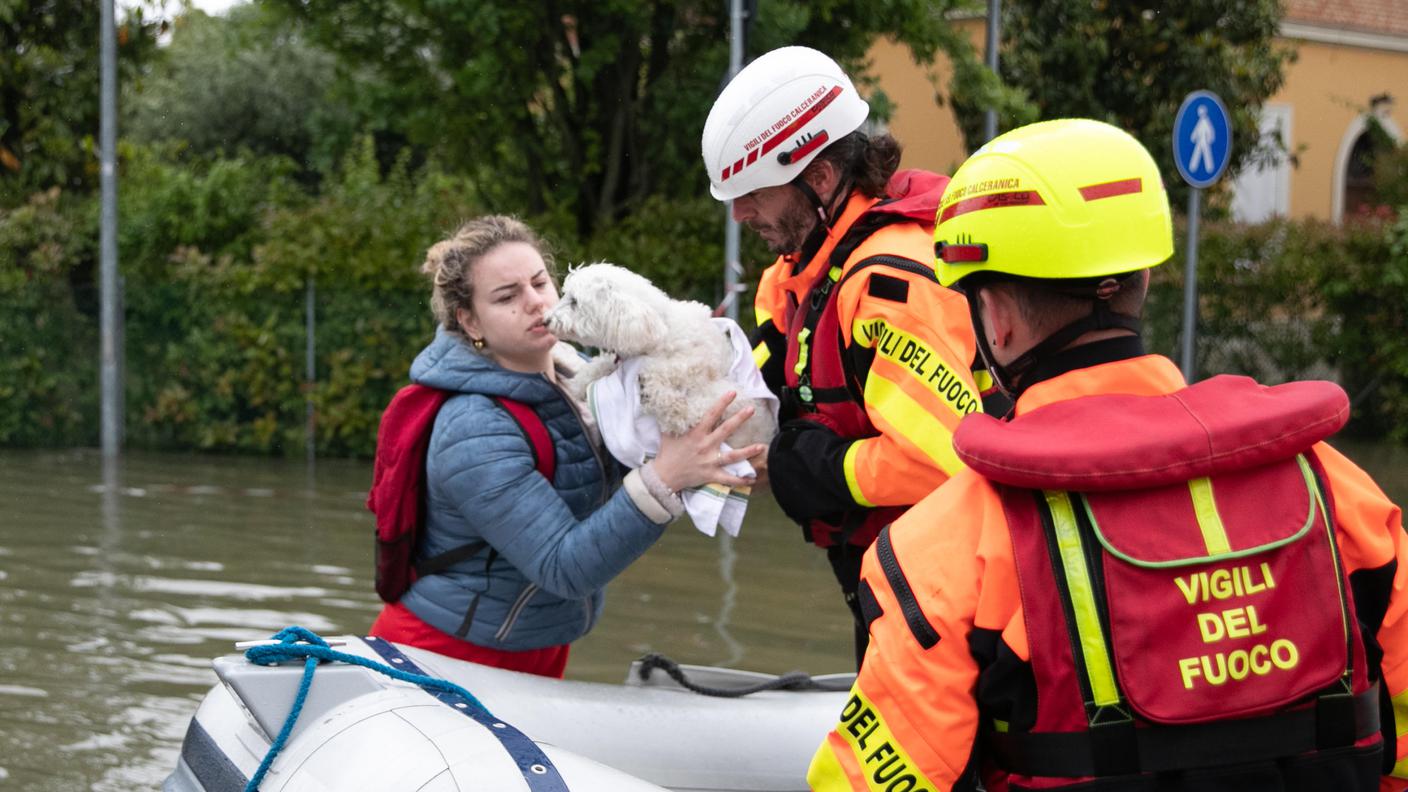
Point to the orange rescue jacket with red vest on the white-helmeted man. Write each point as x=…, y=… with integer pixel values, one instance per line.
x=893, y=329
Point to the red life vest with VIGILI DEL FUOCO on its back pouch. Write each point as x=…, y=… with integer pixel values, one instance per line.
x=1185, y=600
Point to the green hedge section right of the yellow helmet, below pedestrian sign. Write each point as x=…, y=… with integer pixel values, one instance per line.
x=1290, y=301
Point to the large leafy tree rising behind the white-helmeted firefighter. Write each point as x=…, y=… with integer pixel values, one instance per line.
x=588, y=108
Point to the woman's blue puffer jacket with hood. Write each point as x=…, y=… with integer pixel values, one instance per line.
x=558, y=545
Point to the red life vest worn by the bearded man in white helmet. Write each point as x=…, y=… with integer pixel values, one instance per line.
x=830, y=390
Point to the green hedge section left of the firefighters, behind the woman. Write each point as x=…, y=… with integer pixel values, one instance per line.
x=218, y=256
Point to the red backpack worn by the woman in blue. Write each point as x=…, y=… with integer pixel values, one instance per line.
x=398, y=495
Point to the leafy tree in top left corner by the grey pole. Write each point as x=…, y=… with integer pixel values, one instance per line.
x=50, y=67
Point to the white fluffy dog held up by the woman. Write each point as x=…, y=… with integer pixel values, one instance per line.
x=686, y=356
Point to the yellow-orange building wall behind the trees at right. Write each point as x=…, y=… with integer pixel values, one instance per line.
x=1328, y=88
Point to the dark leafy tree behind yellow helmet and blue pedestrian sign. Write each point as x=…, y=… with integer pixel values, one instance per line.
x=1131, y=64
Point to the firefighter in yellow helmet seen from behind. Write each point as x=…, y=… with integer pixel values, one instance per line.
x=1136, y=584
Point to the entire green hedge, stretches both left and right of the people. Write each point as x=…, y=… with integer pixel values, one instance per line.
x=218, y=257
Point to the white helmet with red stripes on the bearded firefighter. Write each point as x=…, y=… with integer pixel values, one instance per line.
x=775, y=118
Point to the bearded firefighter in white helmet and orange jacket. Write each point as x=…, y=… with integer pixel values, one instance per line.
x=871, y=356
